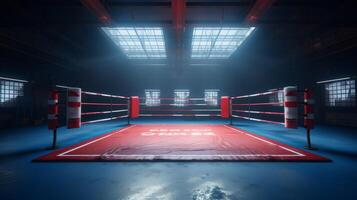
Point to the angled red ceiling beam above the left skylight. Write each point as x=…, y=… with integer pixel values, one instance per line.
x=96, y=7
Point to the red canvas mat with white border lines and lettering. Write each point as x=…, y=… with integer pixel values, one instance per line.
x=180, y=142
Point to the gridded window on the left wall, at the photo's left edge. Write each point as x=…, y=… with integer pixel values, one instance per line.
x=10, y=89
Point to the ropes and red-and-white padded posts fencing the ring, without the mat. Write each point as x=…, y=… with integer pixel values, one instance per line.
x=226, y=108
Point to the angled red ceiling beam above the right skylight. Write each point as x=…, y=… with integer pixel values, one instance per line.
x=258, y=9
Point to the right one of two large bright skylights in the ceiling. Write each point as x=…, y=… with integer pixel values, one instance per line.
x=217, y=42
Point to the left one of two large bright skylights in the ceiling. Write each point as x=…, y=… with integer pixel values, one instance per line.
x=139, y=42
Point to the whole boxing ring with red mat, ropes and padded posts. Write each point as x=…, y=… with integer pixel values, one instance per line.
x=184, y=142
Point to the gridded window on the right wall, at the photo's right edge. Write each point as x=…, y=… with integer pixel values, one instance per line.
x=341, y=93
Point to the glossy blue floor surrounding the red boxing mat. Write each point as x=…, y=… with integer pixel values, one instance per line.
x=22, y=179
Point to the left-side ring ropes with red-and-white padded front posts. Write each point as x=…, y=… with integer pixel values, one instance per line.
x=74, y=105
